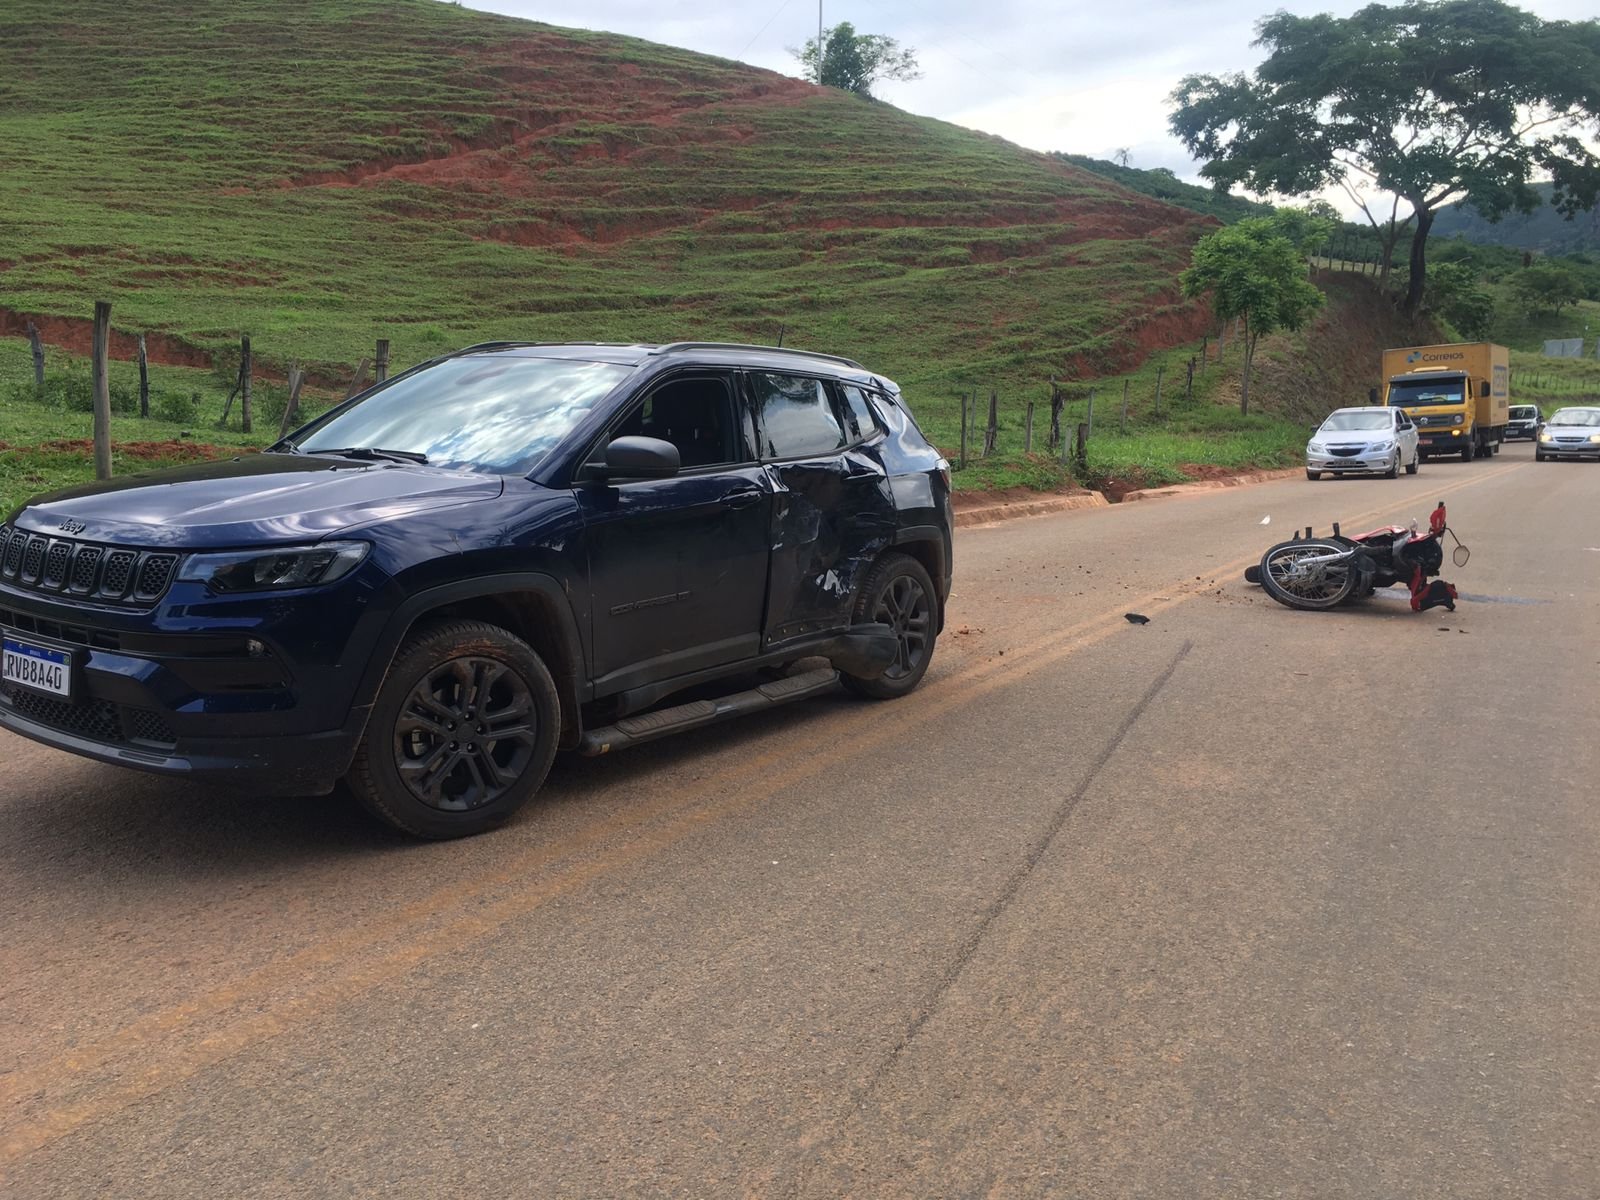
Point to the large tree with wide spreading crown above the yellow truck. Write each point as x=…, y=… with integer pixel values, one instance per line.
x=1428, y=102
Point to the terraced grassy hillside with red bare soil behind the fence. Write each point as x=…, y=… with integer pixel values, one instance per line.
x=326, y=174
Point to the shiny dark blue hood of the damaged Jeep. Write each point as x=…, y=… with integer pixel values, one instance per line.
x=255, y=498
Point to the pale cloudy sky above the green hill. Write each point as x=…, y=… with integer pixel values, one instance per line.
x=1054, y=76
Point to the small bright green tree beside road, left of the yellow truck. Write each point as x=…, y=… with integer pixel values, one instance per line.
x=1257, y=273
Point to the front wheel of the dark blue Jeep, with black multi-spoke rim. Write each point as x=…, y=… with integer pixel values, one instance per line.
x=463, y=732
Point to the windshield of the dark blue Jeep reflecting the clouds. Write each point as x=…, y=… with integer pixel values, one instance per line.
x=492, y=414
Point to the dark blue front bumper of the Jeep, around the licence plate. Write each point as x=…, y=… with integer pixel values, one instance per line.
x=257, y=690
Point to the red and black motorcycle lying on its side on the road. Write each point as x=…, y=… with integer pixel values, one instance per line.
x=1318, y=574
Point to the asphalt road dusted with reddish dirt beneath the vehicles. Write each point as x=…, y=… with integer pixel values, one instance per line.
x=1241, y=903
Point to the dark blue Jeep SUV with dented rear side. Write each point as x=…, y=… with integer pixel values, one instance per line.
x=500, y=553
